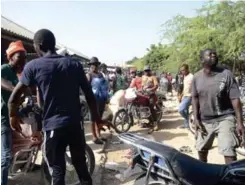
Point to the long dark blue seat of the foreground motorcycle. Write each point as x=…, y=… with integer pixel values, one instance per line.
x=187, y=169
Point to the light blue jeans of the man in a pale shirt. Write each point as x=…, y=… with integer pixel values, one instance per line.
x=184, y=110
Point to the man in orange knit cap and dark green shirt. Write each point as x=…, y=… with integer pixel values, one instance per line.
x=16, y=55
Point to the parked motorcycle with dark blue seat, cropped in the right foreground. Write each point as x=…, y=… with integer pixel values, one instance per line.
x=164, y=165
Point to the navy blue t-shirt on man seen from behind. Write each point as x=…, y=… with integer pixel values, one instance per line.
x=59, y=80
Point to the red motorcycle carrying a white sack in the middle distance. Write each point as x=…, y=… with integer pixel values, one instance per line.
x=136, y=107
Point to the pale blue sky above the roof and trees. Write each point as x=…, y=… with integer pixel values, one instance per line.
x=113, y=31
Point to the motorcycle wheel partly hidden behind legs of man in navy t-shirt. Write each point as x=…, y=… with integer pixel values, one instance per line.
x=71, y=177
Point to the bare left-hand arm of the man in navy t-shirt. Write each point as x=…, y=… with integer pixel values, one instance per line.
x=14, y=100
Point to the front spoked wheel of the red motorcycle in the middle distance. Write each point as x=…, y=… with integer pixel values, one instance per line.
x=122, y=121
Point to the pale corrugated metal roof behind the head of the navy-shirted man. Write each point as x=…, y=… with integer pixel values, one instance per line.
x=13, y=27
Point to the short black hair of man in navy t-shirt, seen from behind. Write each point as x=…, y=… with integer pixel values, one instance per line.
x=46, y=39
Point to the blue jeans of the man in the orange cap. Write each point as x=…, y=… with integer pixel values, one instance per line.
x=6, y=151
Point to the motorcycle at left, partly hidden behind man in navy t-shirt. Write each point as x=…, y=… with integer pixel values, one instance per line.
x=25, y=150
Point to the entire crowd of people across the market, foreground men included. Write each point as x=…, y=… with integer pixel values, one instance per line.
x=212, y=91
